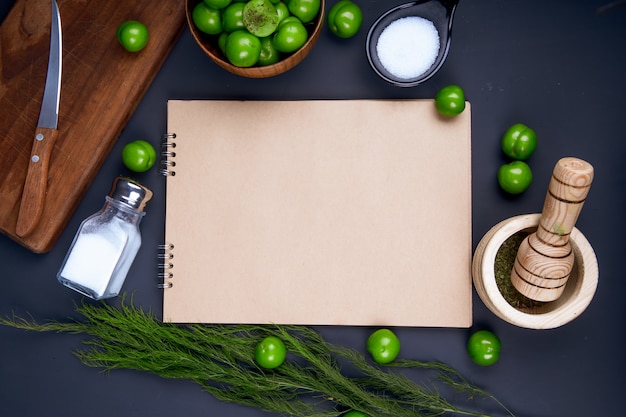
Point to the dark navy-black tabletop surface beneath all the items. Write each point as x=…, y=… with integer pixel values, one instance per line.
x=557, y=66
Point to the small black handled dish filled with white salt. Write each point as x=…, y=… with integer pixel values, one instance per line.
x=408, y=44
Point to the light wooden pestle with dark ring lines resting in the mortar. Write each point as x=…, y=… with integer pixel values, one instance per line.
x=545, y=259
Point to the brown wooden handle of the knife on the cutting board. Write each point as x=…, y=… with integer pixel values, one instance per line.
x=36, y=184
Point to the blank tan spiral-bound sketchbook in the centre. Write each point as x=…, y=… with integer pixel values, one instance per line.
x=317, y=212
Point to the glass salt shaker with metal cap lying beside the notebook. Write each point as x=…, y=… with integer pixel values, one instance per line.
x=107, y=242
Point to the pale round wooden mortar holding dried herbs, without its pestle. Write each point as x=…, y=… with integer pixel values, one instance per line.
x=579, y=290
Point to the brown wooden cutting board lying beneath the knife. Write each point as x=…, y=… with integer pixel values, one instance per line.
x=101, y=86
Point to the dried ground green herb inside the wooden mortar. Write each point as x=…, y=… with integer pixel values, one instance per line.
x=505, y=257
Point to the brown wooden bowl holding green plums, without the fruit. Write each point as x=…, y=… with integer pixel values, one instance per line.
x=209, y=45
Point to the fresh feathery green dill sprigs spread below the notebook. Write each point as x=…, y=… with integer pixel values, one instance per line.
x=311, y=382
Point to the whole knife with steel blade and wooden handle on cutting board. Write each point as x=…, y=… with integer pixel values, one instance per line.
x=35, y=185
